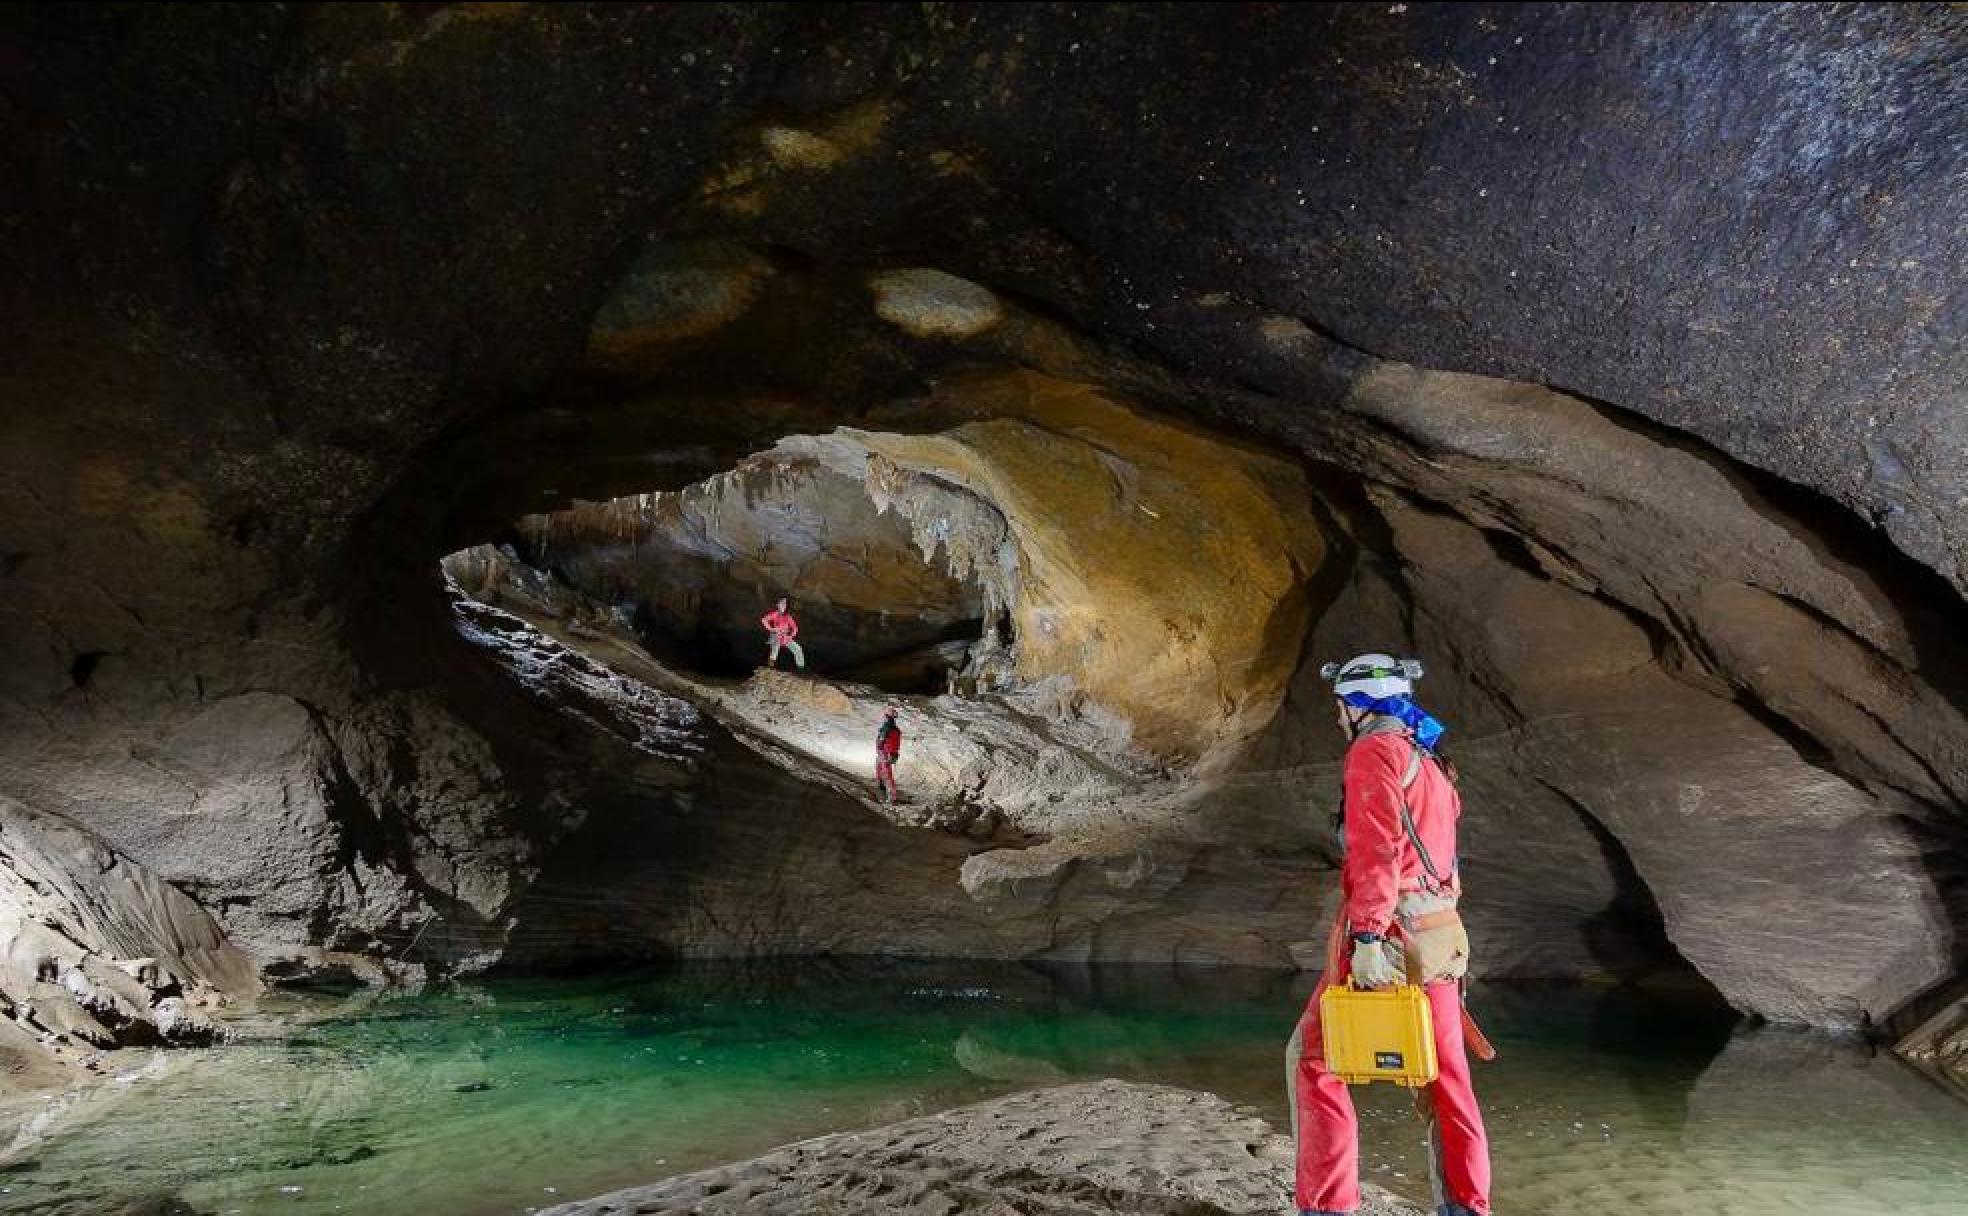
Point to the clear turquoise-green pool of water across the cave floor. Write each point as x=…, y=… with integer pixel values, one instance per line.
x=507, y=1097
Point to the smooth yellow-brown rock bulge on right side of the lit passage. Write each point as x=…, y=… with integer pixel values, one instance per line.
x=1160, y=570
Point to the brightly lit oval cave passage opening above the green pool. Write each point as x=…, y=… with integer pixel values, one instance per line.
x=1070, y=601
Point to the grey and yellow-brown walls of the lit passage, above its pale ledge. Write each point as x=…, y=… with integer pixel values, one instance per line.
x=1142, y=574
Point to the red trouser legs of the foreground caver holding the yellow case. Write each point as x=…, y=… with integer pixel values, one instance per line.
x=1329, y=1134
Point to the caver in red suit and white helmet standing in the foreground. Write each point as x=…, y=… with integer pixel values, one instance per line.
x=1398, y=922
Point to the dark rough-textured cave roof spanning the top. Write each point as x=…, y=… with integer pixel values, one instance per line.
x=282, y=247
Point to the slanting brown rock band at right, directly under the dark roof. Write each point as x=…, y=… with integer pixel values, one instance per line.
x=1758, y=595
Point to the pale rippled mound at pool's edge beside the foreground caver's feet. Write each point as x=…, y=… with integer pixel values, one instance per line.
x=1077, y=1150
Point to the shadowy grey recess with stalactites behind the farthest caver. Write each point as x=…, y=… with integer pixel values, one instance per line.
x=692, y=574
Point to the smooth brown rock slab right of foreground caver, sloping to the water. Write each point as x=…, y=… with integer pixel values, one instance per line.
x=1697, y=792
